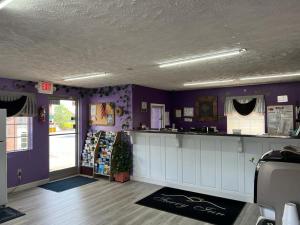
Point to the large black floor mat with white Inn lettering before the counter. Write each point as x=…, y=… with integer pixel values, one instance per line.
x=206, y=208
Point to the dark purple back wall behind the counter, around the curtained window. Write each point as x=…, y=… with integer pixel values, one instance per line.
x=182, y=99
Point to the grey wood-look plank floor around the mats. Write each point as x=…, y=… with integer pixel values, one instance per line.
x=101, y=203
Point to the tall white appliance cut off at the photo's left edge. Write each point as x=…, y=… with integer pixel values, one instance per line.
x=3, y=159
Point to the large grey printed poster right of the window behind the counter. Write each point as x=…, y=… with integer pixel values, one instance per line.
x=280, y=119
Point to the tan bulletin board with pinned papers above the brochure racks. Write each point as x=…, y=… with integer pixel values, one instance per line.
x=102, y=114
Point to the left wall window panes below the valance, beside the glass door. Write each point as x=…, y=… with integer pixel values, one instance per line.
x=18, y=134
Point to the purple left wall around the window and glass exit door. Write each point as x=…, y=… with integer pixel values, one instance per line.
x=35, y=163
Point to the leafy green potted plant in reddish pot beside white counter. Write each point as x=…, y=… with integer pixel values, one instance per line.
x=121, y=161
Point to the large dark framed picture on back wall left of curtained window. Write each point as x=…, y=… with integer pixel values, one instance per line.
x=206, y=108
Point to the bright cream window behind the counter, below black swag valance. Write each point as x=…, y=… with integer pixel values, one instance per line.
x=253, y=124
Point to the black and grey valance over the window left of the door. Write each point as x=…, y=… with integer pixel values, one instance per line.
x=18, y=104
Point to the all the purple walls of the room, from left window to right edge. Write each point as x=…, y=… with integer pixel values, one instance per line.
x=35, y=163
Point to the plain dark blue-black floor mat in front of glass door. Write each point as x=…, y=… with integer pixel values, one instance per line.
x=67, y=184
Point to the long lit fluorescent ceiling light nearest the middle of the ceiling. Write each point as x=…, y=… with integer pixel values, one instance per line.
x=199, y=58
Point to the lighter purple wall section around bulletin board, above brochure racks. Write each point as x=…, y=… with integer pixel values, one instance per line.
x=122, y=97
